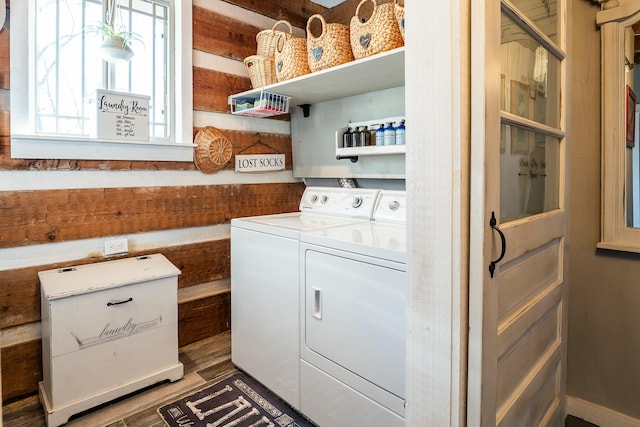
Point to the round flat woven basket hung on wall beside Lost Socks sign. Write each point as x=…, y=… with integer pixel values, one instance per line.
x=213, y=150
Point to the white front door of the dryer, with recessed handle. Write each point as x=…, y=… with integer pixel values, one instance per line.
x=355, y=316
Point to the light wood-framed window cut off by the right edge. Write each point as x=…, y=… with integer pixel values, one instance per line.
x=619, y=230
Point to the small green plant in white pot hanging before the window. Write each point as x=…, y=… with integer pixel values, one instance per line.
x=116, y=40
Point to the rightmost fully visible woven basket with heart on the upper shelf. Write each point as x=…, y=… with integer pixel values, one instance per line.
x=378, y=34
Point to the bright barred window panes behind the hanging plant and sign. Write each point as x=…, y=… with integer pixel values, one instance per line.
x=69, y=66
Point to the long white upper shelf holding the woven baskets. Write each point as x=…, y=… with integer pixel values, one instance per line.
x=377, y=72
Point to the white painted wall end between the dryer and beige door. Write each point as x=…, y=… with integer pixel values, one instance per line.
x=436, y=107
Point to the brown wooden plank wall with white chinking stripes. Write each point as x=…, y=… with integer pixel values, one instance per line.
x=36, y=218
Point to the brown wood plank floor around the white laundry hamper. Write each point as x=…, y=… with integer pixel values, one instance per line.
x=205, y=362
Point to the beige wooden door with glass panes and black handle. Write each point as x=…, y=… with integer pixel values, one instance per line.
x=517, y=301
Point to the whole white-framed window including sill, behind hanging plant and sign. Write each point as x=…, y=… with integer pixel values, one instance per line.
x=57, y=64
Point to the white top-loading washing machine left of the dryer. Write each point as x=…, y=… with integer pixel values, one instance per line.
x=265, y=294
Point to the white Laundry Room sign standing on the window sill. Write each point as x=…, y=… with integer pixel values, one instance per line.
x=122, y=116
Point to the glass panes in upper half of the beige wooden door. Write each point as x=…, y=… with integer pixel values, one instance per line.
x=531, y=134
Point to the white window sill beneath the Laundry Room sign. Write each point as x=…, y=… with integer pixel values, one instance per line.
x=38, y=147
